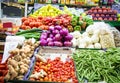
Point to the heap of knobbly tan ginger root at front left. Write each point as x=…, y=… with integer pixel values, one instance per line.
x=20, y=60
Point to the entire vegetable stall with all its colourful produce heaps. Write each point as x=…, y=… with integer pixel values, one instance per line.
x=62, y=46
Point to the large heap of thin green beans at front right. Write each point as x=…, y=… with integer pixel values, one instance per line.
x=96, y=65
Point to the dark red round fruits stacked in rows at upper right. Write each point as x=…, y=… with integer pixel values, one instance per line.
x=103, y=14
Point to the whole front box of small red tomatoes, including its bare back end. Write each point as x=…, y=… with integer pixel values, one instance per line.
x=60, y=63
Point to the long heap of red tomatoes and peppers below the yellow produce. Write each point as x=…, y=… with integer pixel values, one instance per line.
x=44, y=22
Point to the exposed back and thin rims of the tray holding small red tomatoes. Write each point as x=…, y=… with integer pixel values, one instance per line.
x=52, y=53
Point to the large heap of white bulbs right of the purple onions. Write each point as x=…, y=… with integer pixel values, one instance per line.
x=97, y=35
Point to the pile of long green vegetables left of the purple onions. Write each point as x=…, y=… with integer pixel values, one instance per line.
x=33, y=33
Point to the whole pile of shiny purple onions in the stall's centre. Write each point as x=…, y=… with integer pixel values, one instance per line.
x=56, y=36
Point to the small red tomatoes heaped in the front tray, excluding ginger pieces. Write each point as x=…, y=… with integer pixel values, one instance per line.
x=57, y=70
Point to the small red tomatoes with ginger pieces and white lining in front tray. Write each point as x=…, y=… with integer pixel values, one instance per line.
x=54, y=70
